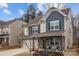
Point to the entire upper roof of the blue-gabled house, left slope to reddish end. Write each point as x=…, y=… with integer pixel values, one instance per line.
x=40, y=19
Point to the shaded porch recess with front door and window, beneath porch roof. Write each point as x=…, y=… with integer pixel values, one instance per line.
x=51, y=43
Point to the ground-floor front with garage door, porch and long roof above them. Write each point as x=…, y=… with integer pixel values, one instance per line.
x=49, y=41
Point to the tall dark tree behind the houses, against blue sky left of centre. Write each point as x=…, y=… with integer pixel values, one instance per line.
x=29, y=14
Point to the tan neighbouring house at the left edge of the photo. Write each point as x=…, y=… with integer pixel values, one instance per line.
x=11, y=32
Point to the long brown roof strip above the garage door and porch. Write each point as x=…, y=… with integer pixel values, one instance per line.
x=46, y=34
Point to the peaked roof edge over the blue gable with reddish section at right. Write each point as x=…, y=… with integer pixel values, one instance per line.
x=64, y=12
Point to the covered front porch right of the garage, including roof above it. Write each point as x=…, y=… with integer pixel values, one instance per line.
x=54, y=40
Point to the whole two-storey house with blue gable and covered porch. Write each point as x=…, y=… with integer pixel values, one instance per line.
x=51, y=31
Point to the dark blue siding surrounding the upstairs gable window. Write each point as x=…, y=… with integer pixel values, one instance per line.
x=52, y=17
